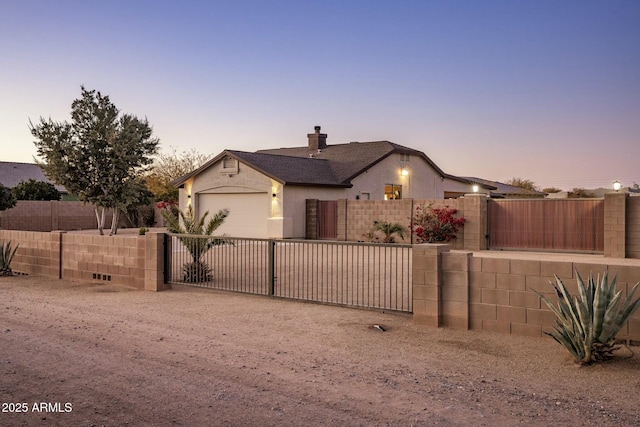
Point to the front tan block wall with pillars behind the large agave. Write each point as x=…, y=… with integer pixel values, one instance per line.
x=494, y=291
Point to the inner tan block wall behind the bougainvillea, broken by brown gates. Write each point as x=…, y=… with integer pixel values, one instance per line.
x=356, y=217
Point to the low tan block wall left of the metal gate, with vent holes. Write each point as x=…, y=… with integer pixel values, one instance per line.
x=135, y=261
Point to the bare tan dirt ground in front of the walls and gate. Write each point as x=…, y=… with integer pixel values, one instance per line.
x=103, y=355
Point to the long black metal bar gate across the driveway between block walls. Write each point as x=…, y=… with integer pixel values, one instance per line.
x=367, y=275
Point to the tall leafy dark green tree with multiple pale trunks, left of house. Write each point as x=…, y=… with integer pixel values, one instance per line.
x=99, y=156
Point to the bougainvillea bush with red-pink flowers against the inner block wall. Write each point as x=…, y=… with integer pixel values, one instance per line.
x=433, y=225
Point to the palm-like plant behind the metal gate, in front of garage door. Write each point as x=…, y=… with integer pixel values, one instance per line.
x=188, y=223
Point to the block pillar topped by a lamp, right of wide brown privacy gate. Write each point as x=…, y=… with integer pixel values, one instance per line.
x=615, y=225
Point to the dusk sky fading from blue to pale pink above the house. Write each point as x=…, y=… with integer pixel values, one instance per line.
x=542, y=90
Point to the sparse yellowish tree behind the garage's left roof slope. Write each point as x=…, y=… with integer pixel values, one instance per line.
x=167, y=167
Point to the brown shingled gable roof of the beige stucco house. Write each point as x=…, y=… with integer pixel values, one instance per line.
x=333, y=165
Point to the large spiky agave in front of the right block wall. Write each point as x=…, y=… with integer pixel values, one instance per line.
x=586, y=325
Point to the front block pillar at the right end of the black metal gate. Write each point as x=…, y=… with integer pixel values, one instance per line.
x=427, y=282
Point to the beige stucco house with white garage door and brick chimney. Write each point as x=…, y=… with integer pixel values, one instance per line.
x=266, y=190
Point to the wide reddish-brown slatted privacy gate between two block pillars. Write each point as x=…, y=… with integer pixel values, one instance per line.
x=571, y=225
